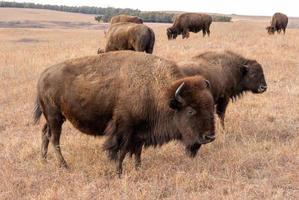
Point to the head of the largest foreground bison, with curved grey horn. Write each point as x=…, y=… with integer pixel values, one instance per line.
x=194, y=112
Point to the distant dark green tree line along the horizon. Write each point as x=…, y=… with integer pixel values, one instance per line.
x=105, y=14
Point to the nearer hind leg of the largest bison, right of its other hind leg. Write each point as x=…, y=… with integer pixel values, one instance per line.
x=55, y=124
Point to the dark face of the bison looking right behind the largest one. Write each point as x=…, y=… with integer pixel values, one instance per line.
x=253, y=77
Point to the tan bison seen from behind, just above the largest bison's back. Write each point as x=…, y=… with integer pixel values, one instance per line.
x=129, y=36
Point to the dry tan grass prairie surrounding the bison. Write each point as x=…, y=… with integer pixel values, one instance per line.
x=256, y=157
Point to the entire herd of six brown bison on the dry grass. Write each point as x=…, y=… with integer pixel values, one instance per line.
x=139, y=100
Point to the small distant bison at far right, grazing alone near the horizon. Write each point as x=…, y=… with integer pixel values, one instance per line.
x=279, y=22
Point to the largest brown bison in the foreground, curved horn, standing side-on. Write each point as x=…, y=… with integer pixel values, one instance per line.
x=134, y=98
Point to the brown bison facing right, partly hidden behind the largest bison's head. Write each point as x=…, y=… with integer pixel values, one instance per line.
x=230, y=75
